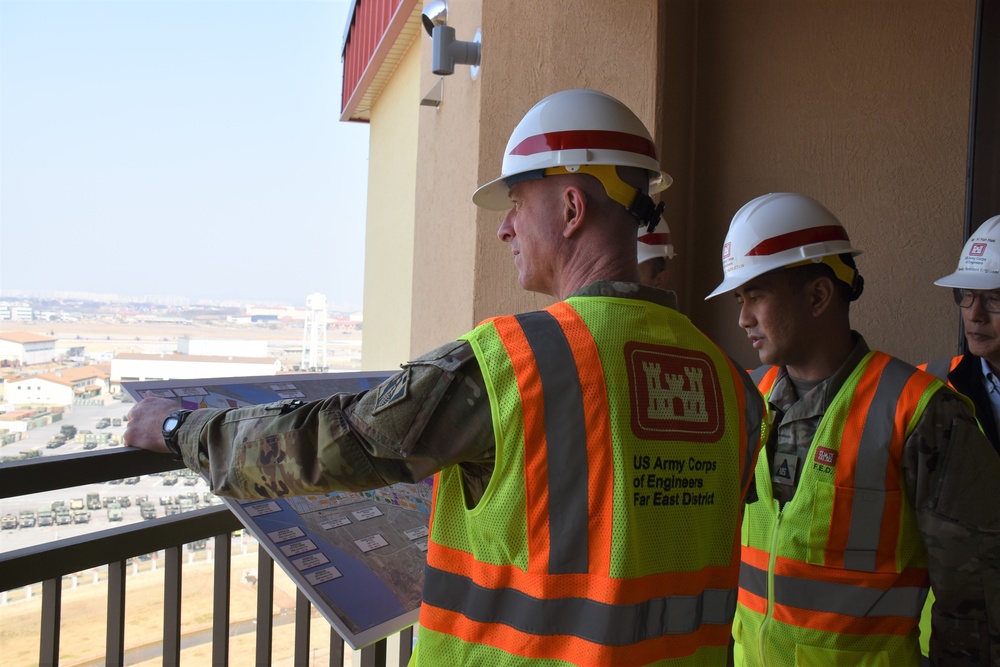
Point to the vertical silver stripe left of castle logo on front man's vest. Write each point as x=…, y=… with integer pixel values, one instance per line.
x=566, y=443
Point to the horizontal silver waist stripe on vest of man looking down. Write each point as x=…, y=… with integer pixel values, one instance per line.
x=844, y=599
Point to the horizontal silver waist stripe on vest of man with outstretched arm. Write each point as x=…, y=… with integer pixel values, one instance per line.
x=605, y=624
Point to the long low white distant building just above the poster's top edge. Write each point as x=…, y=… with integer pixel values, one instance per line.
x=143, y=367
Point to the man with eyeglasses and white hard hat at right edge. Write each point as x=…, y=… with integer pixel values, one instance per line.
x=976, y=286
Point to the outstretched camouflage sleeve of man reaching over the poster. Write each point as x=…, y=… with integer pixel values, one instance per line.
x=431, y=414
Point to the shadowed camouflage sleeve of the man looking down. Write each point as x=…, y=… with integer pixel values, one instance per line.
x=952, y=475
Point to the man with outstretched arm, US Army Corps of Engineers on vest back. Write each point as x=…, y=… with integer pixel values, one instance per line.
x=592, y=457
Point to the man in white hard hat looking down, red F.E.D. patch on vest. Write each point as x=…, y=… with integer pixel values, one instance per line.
x=876, y=483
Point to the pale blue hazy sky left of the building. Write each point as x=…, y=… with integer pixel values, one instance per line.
x=185, y=148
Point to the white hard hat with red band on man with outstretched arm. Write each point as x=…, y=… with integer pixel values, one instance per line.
x=571, y=129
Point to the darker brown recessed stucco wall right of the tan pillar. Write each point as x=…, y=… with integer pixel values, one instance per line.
x=862, y=105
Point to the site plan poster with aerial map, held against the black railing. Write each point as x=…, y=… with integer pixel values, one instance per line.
x=358, y=557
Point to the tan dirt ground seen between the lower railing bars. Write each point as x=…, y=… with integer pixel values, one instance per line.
x=84, y=619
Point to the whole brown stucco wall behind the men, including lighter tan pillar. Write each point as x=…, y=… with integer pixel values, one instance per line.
x=861, y=104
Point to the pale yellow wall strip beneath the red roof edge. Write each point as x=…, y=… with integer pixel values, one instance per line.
x=389, y=234
